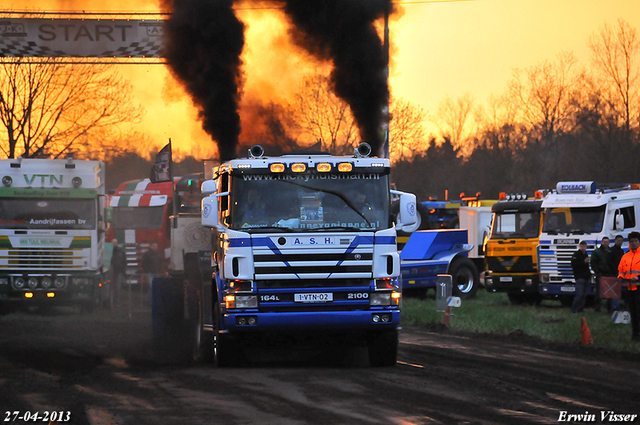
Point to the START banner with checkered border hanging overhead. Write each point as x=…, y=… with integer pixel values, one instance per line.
x=81, y=38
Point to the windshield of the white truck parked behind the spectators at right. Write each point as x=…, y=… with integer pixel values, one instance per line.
x=577, y=221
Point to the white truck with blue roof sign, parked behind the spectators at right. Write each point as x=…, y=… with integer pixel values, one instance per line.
x=579, y=211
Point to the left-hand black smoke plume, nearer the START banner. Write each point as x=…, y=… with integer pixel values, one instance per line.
x=202, y=44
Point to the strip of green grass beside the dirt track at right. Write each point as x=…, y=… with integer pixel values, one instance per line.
x=494, y=314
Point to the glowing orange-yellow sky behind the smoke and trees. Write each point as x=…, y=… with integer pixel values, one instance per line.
x=442, y=48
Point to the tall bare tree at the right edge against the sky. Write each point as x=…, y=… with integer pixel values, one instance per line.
x=614, y=52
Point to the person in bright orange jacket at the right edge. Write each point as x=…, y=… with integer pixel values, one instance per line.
x=629, y=271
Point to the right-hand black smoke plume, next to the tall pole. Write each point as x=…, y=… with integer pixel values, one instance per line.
x=343, y=31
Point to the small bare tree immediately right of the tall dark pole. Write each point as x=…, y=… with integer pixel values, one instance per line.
x=406, y=132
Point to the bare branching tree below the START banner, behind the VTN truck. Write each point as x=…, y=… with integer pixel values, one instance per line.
x=51, y=109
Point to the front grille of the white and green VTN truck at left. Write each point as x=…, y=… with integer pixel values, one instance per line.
x=43, y=258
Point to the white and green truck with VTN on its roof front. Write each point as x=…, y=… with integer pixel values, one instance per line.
x=52, y=232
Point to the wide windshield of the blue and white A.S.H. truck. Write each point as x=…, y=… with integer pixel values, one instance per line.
x=310, y=202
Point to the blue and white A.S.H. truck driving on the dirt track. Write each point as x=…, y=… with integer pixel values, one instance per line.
x=304, y=243
